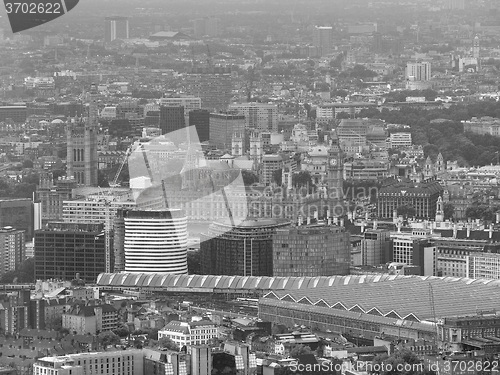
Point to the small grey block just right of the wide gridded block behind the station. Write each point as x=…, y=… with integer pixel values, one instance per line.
x=375, y=247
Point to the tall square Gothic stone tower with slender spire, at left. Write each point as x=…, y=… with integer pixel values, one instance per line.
x=82, y=160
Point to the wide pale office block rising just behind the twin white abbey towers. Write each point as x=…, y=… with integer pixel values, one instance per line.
x=258, y=116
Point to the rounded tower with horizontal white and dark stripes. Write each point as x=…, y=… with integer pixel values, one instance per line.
x=155, y=241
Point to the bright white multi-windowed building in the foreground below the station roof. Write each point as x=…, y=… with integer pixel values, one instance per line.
x=189, y=333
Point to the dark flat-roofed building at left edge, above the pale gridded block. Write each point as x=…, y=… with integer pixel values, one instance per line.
x=18, y=214
